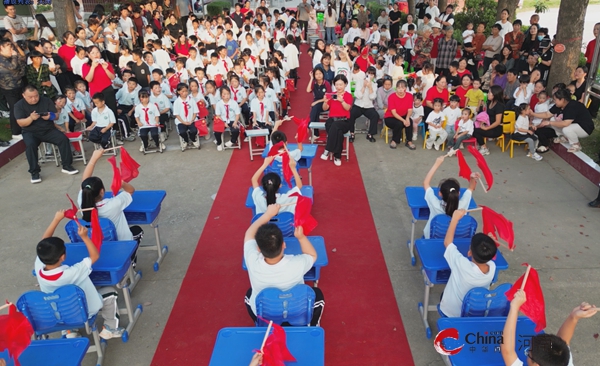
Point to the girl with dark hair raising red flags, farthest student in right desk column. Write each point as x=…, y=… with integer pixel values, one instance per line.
x=449, y=195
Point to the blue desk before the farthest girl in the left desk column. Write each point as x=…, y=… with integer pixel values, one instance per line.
x=144, y=210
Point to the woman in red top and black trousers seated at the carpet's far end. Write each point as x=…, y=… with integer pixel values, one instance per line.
x=338, y=122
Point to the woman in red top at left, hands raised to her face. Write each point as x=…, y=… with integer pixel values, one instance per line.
x=99, y=74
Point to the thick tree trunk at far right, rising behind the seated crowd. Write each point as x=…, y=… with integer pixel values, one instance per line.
x=569, y=31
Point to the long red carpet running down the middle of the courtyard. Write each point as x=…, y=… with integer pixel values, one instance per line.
x=361, y=319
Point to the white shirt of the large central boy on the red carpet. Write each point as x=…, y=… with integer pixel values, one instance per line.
x=284, y=275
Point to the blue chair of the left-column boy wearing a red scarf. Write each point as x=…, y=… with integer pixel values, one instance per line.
x=63, y=309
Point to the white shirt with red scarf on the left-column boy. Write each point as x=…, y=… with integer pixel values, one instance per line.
x=77, y=274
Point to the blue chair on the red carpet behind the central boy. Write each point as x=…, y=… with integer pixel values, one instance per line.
x=294, y=306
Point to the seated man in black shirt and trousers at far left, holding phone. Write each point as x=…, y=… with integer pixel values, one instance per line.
x=36, y=115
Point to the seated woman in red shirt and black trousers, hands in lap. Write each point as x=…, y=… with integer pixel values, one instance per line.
x=397, y=116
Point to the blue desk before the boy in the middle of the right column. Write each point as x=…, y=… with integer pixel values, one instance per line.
x=436, y=271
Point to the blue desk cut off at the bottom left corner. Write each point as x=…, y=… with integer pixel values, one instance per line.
x=52, y=352
